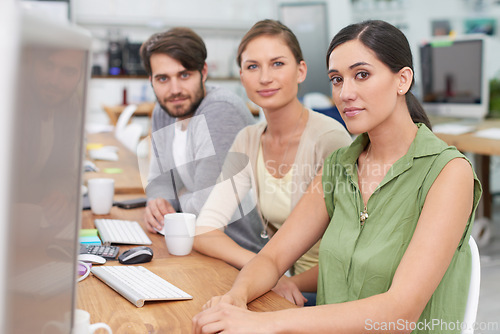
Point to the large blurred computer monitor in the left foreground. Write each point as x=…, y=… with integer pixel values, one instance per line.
x=43, y=88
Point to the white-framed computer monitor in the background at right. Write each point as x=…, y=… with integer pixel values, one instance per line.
x=453, y=77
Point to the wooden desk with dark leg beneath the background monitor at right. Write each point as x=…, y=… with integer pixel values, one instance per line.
x=483, y=148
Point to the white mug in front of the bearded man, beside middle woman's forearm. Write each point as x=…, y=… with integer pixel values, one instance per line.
x=179, y=232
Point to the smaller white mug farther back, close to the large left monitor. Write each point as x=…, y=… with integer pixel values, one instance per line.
x=101, y=192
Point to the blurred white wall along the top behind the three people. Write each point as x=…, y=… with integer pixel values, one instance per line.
x=223, y=22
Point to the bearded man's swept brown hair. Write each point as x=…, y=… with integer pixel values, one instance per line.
x=182, y=44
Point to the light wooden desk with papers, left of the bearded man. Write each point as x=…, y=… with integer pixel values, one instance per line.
x=129, y=180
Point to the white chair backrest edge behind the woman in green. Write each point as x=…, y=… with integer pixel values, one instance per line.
x=474, y=287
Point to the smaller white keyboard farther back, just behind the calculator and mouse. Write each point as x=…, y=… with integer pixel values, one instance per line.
x=121, y=232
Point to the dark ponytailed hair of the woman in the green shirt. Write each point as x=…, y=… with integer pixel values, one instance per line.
x=391, y=47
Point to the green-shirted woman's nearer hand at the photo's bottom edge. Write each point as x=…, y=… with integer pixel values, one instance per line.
x=225, y=317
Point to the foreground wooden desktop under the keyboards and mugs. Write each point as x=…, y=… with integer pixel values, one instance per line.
x=200, y=276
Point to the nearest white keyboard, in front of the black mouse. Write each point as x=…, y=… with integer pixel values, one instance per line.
x=138, y=284
